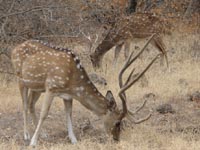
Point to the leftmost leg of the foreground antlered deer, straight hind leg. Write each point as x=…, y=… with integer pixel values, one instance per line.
x=24, y=95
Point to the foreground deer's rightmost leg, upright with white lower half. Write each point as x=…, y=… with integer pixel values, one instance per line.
x=68, y=111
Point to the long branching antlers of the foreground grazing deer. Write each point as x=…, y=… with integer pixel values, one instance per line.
x=130, y=81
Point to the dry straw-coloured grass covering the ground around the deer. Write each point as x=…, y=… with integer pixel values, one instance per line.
x=179, y=131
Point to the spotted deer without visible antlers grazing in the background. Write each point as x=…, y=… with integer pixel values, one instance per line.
x=137, y=25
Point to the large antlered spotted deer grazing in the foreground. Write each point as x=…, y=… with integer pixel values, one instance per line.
x=58, y=72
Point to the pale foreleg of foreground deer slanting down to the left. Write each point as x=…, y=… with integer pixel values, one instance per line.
x=44, y=112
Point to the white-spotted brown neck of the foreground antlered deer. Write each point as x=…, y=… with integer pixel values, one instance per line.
x=87, y=94
